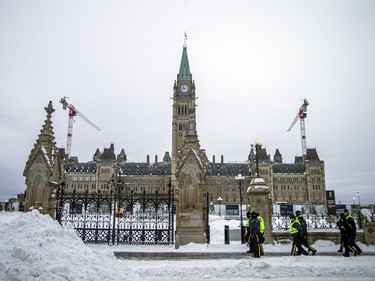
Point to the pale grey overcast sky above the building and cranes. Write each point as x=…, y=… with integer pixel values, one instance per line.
x=252, y=61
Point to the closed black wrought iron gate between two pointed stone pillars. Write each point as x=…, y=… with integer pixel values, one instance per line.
x=118, y=217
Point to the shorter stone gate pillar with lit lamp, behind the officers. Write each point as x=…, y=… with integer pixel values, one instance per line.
x=259, y=196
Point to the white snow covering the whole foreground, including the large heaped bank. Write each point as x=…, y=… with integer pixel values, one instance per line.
x=35, y=247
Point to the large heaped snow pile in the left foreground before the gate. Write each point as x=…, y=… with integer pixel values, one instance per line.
x=35, y=247
